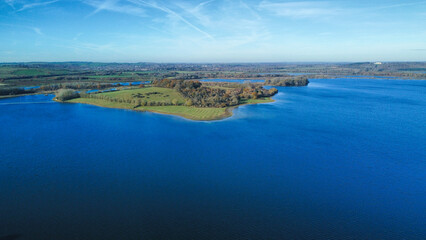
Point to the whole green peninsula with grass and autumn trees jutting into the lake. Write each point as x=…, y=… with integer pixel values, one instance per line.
x=195, y=100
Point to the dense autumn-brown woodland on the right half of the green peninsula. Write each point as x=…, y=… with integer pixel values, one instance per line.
x=201, y=96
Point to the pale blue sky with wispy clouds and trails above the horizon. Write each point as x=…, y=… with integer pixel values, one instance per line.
x=212, y=30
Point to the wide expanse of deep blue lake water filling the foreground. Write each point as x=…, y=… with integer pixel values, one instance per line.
x=339, y=159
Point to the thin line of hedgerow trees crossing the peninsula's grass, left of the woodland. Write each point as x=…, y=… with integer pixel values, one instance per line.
x=137, y=102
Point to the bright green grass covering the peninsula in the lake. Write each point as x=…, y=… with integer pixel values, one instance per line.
x=159, y=95
